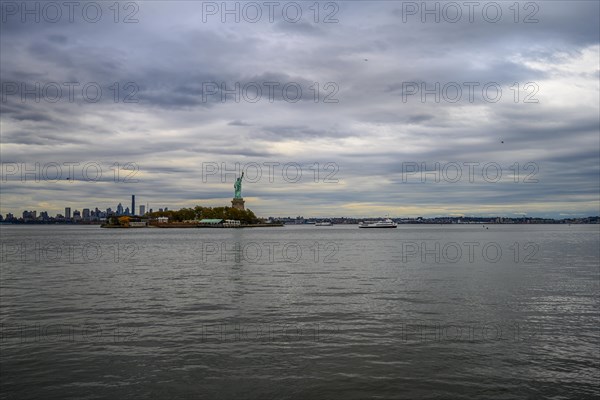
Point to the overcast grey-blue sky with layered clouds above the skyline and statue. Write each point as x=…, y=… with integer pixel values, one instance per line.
x=347, y=108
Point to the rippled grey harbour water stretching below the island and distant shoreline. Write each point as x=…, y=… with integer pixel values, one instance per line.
x=300, y=312
